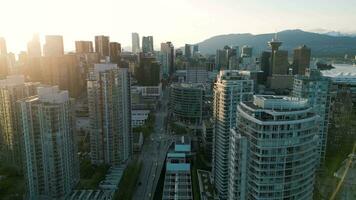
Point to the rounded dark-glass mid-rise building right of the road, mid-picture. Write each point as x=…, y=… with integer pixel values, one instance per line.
x=186, y=102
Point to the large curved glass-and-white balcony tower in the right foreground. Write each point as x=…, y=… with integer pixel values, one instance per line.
x=273, y=149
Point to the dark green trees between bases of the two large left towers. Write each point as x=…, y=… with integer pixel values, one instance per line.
x=91, y=175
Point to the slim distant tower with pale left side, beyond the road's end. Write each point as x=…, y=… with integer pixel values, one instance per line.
x=167, y=50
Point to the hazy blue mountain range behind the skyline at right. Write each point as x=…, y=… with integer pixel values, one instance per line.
x=320, y=44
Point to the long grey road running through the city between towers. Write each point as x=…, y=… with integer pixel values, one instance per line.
x=153, y=154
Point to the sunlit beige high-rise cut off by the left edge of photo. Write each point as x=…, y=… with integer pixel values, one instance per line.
x=12, y=89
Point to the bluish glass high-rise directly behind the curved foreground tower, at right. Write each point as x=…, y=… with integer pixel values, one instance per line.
x=317, y=89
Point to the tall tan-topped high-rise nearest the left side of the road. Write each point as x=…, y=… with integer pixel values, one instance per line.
x=110, y=114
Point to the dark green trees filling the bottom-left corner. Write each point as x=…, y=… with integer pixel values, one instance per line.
x=12, y=185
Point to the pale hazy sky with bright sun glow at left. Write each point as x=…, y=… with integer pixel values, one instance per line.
x=179, y=21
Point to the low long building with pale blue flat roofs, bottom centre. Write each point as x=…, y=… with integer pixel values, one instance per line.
x=178, y=181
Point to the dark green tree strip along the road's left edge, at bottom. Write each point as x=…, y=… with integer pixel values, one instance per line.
x=129, y=180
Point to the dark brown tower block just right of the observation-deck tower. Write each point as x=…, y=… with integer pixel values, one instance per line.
x=301, y=59
